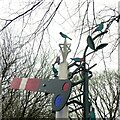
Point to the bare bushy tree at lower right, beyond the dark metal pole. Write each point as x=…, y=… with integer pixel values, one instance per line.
x=104, y=94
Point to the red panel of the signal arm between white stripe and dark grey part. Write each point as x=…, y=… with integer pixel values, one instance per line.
x=32, y=84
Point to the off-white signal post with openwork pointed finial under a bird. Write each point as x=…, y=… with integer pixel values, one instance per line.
x=63, y=74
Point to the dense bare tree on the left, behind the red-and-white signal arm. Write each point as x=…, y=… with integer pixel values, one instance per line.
x=17, y=60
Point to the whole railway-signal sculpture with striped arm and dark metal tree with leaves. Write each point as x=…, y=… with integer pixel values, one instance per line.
x=62, y=84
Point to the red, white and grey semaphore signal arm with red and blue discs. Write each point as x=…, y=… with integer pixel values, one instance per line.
x=60, y=88
